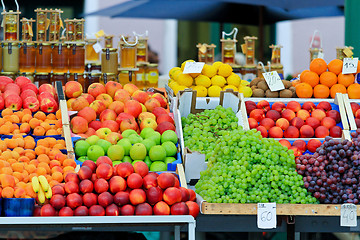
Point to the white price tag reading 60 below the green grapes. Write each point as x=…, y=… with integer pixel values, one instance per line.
x=266, y=217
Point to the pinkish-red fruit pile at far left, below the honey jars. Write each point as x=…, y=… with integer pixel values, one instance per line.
x=24, y=94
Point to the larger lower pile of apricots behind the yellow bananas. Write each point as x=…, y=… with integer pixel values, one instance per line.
x=21, y=159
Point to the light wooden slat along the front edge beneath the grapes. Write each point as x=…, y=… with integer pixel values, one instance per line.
x=281, y=209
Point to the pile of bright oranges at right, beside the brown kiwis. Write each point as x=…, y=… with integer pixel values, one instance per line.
x=325, y=80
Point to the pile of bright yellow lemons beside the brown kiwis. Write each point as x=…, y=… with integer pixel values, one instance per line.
x=210, y=82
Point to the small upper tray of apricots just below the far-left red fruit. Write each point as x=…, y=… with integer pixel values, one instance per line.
x=22, y=122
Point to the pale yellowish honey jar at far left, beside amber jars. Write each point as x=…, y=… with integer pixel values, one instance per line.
x=10, y=57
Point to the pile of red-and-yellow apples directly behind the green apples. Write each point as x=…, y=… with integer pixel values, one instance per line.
x=114, y=108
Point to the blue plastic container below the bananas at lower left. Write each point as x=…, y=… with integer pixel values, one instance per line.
x=18, y=207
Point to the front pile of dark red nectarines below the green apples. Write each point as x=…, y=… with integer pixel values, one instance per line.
x=101, y=189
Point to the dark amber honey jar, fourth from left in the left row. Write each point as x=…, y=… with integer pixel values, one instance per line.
x=60, y=58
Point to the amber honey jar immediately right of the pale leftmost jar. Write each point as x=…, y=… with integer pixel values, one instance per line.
x=27, y=57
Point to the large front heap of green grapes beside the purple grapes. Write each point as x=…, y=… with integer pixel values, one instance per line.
x=244, y=167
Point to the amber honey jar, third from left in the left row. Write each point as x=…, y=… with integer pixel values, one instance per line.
x=43, y=57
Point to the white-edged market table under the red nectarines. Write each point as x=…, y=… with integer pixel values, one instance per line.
x=103, y=223
